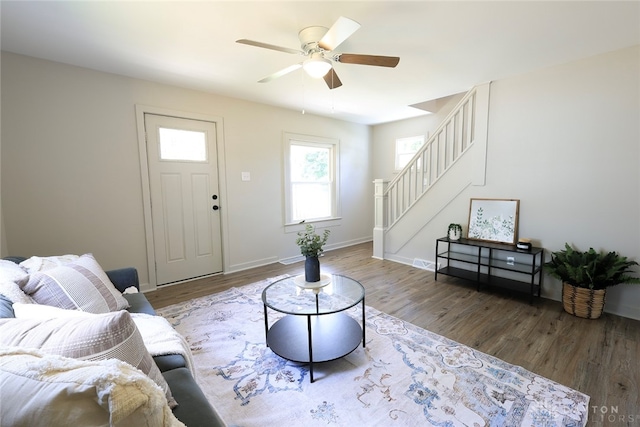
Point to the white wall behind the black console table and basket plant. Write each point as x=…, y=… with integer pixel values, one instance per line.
x=566, y=142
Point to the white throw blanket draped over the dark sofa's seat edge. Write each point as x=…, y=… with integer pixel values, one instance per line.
x=161, y=339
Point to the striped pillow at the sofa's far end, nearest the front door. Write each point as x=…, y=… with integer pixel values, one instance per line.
x=78, y=285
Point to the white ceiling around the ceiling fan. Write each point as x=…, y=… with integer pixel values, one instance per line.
x=444, y=47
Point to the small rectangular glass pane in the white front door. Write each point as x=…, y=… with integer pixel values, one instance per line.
x=178, y=144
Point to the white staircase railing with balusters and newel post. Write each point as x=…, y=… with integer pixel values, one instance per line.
x=415, y=196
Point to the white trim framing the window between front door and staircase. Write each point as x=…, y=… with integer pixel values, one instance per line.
x=288, y=139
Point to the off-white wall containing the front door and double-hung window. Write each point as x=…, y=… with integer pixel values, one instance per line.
x=71, y=172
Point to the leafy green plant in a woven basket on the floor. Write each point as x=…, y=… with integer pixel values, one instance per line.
x=586, y=276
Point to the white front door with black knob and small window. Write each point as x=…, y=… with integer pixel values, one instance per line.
x=183, y=180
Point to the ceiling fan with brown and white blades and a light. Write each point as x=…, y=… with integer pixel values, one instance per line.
x=317, y=45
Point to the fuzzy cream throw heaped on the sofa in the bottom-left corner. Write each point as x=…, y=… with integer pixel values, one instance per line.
x=38, y=390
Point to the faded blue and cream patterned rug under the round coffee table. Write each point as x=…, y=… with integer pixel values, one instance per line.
x=405, y=375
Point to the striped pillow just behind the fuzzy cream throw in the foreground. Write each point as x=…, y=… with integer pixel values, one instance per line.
x=97, y=337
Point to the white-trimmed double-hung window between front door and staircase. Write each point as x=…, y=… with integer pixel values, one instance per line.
x=310, y=178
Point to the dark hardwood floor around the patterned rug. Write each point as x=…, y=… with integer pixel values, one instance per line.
x=597, y=357
